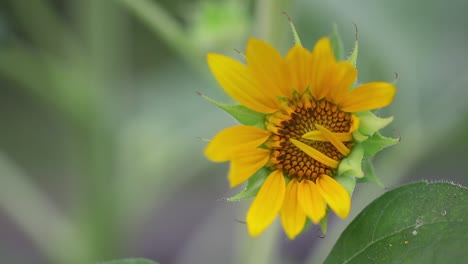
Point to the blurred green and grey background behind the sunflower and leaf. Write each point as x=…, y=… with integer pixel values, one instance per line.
x=101, y=129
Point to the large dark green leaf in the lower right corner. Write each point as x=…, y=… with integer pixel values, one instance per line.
x=416, y=223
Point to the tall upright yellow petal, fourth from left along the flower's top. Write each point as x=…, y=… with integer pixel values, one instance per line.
x=321, y=60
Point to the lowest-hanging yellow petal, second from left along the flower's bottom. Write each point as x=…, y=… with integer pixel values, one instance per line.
x=293, y=216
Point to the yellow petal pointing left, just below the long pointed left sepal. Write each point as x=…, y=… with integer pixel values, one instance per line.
x=234, y=139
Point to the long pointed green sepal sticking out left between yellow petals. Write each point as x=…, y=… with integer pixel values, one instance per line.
x=241, y=113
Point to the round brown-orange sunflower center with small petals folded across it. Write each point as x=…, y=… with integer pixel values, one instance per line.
x=309, y=137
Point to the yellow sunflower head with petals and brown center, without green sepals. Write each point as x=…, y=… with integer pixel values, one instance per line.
x=308, y=130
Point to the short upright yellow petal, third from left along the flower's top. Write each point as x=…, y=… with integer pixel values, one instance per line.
x=298, y=60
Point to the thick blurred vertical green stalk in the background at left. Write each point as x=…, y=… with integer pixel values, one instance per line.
x=104, y=29
